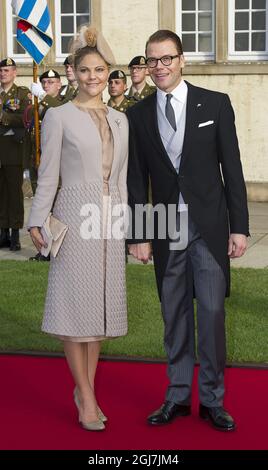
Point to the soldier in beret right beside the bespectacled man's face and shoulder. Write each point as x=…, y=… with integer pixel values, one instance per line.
x=138, y=70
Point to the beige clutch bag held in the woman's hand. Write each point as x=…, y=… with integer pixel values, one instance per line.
x=53, y=232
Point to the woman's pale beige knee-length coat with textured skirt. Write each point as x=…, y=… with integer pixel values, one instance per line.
x=79, y=303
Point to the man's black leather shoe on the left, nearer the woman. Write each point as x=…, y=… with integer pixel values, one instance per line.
x=167, y=413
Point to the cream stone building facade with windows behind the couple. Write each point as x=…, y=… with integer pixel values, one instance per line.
x=225, y=44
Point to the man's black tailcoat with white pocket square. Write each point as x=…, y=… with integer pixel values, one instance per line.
x=210, y=178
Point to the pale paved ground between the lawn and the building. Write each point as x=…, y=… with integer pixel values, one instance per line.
x=255, y=257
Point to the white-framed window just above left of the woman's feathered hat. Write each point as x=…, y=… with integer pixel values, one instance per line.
x=69, y=16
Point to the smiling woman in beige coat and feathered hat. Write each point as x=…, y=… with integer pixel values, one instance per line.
x=86, y=144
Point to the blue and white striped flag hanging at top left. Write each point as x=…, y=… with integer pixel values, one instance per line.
x=34, y=32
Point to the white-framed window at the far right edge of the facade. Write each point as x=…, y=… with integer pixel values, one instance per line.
x=248, y=20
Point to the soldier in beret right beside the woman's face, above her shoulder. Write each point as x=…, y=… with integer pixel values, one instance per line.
x=117, y=86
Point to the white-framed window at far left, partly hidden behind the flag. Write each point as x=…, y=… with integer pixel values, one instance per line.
x=14, y=49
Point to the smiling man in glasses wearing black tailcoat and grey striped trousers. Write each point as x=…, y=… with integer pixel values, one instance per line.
x=183, y=138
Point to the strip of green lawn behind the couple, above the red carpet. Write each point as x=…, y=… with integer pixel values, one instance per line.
x=22, y=293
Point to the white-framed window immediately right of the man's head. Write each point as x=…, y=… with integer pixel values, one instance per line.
x=196, y=28
